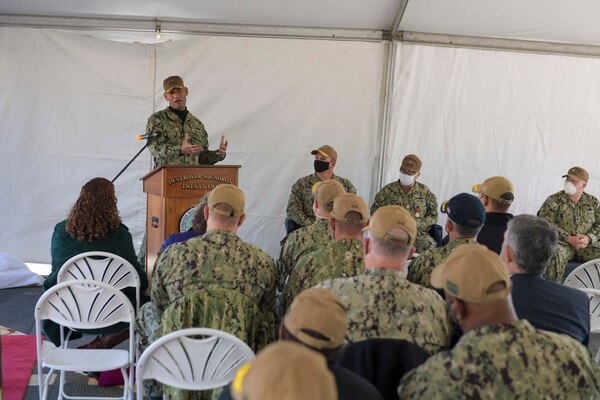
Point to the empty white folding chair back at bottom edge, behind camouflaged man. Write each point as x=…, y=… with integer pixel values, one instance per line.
x=182, y=360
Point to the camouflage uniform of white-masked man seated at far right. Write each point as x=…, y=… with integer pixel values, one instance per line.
x=571, y=218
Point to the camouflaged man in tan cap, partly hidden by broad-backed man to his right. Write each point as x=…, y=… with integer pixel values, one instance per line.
x=342, y=258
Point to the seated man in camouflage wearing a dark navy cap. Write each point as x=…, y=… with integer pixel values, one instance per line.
x=466, y=216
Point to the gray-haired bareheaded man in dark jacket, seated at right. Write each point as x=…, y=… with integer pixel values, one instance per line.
x=529, y=244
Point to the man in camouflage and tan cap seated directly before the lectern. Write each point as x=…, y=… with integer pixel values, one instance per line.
x=218, y=259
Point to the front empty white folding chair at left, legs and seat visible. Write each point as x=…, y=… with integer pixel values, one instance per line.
x=83, y=304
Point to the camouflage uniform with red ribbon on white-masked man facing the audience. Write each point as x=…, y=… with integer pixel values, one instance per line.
x=421, y=204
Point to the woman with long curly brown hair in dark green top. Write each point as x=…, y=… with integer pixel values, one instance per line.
x=93, y=224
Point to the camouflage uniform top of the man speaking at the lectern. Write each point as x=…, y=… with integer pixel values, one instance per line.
x=165, y=148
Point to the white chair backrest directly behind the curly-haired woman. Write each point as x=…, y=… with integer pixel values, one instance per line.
x=101, y=266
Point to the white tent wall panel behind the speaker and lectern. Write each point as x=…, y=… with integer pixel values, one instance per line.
x=73, y=105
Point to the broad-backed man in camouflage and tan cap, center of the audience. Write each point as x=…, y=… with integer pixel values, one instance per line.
x=381, y=303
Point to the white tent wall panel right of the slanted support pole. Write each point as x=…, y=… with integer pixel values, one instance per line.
x=472, y=114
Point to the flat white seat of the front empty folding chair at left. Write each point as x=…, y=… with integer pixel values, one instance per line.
x=86, y=360
